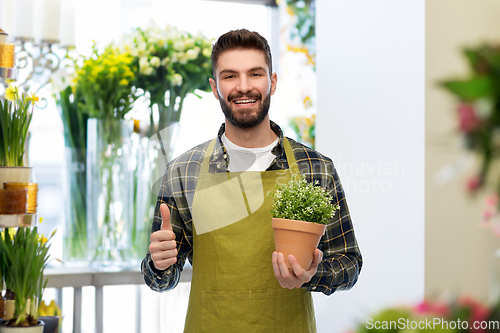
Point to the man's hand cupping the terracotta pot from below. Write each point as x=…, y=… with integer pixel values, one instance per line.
x=299, y=276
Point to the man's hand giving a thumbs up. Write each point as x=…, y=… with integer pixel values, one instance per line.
x=163, y=247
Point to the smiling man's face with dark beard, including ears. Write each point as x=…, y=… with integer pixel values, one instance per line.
x=244, y=86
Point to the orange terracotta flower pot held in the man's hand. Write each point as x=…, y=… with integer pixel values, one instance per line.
x=298, y=238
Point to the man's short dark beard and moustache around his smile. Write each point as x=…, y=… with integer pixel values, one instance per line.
x=243, y=118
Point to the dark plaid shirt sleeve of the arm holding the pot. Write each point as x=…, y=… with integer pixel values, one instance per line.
x=342, y=260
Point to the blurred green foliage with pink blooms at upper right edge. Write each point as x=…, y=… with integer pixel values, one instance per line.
x=478, y=110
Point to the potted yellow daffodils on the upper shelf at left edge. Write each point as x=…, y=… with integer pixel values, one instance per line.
x=16, y=112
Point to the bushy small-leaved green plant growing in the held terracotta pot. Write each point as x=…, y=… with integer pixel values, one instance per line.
x=302, y=201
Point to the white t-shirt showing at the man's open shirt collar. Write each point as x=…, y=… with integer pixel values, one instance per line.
x=248, y=159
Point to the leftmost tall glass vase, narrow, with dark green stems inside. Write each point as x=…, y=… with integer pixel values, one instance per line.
x=75, y=210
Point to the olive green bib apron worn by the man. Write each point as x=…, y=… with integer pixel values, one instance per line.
x=233, y=287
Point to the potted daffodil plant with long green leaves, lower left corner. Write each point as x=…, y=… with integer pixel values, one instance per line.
x=25, y=256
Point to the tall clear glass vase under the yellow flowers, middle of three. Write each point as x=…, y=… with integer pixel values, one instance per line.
x=109, y=192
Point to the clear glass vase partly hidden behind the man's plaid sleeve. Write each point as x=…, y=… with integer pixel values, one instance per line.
x=152, y=155
